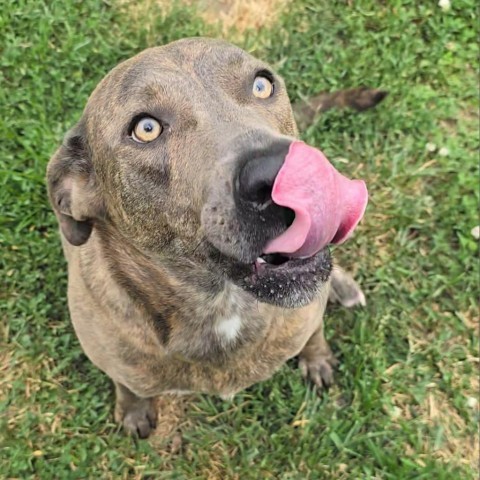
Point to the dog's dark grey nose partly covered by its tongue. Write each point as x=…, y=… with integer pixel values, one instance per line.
x=258, y=172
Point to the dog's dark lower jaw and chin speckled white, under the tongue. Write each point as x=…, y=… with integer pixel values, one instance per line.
x=282, y=281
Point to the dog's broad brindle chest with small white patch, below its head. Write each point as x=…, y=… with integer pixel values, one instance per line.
x=220, y=347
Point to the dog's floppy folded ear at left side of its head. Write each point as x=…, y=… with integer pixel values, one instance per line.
x=73, y=189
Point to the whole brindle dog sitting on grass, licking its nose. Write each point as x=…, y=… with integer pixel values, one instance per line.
x=184, y=274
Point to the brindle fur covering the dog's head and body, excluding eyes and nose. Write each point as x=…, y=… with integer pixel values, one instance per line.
x=146, y=291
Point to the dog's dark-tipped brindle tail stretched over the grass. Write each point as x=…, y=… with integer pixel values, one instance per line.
x=360, y=99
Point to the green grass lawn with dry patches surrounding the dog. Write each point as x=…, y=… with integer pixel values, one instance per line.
x=404, y=405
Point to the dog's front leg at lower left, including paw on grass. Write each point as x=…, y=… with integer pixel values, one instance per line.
x=137, y=415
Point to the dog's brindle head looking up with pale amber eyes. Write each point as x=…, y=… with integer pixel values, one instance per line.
x=178, y=151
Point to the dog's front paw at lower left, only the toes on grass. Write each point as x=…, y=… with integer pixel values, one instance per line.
x=140, y=419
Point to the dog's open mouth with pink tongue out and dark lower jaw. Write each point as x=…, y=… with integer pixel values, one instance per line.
x=314, y=206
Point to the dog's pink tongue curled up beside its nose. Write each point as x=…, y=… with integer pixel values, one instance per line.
x=327, y=205
